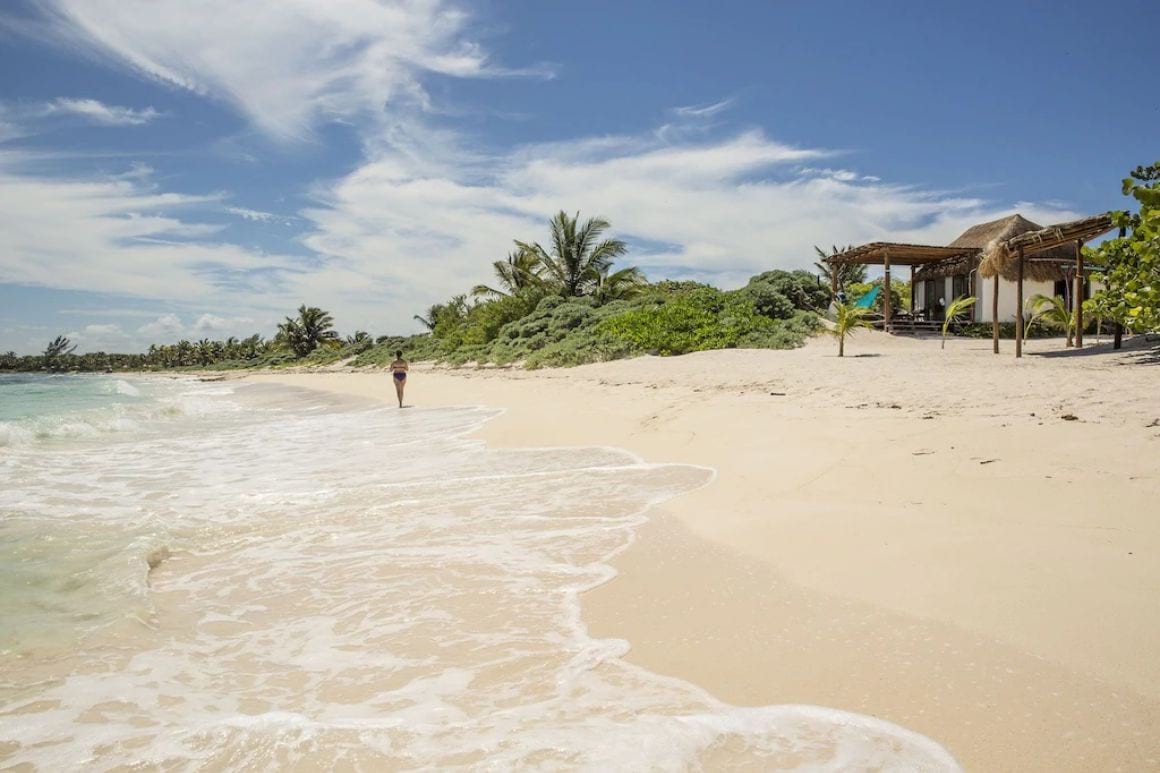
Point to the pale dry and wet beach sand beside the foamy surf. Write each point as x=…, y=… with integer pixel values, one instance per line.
x=963, y=544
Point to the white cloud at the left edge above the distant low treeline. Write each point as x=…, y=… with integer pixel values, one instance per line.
x=122, y=236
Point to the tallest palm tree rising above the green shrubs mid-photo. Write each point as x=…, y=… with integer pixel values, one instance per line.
x=578, y=256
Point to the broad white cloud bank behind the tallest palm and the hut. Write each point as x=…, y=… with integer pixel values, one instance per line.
x=715, y=211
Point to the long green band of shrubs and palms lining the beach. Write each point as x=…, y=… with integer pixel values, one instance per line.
x=562, y=306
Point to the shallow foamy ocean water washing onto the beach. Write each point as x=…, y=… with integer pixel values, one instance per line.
x=216, y=576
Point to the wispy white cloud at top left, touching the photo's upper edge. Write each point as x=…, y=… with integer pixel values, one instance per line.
x=286, y=64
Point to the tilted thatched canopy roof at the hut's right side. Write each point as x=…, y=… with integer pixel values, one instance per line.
x=1047, y=251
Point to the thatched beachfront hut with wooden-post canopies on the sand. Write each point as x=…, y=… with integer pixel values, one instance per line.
x=1020, y=258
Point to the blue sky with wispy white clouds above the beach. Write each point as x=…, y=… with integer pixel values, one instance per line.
x=199, y=169
